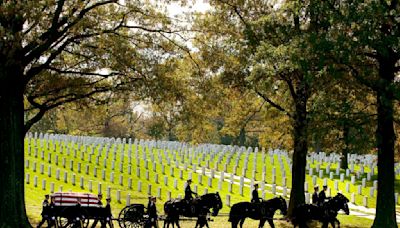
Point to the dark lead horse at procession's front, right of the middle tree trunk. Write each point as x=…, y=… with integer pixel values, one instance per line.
x=326, y=213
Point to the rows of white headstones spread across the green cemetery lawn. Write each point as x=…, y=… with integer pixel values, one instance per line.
x=188, y=154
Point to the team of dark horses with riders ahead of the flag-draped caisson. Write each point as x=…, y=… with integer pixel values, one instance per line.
x=258, y=209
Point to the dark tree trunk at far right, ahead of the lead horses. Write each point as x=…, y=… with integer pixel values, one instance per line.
x=385, y=205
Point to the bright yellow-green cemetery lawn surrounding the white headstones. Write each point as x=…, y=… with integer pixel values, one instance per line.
x=109, y=163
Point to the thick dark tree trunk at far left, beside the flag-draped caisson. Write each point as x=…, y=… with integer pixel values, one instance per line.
x=12, y=132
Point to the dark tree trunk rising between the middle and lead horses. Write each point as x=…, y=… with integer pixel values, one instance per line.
x=299, y=154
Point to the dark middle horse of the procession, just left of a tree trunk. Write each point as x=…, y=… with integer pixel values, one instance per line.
x=263, y=211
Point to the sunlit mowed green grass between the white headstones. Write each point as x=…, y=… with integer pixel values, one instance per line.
x=34, y=195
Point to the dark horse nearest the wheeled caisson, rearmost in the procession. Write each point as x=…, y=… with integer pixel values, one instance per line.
x=180, y=207
